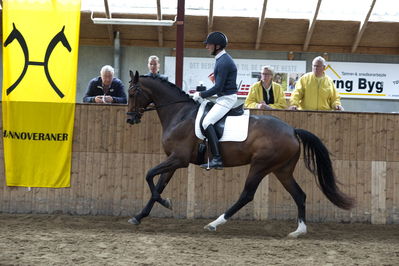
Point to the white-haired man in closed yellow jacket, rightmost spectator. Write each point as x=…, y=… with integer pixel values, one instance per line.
x=315, y=90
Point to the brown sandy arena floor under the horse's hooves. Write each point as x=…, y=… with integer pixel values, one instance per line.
x=100, y=240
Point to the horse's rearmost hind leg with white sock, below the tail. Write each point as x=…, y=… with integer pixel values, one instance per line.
x=285, y=175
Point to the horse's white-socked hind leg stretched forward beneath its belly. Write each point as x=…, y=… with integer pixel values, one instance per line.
x=255, y=176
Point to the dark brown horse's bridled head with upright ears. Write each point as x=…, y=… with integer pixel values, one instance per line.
x=138, y=100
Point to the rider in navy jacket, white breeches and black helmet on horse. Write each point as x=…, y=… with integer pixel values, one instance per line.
x=225, y=74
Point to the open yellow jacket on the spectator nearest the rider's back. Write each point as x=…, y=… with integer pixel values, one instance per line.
x=255, y=96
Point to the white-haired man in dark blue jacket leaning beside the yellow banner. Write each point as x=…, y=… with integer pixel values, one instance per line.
x=106, y=88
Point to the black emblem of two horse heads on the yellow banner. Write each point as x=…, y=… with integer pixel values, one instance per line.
x=59, y=37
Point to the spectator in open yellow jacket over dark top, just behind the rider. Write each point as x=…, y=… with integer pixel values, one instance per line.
x=266, y=94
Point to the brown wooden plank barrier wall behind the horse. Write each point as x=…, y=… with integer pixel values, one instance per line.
x=110, y=159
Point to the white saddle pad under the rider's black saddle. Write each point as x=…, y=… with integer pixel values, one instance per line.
x=235, y=128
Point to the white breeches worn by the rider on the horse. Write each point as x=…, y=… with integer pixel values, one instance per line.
x=222, y=105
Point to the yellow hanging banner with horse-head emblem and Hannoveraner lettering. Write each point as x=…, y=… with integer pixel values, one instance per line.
x=40, y=52
